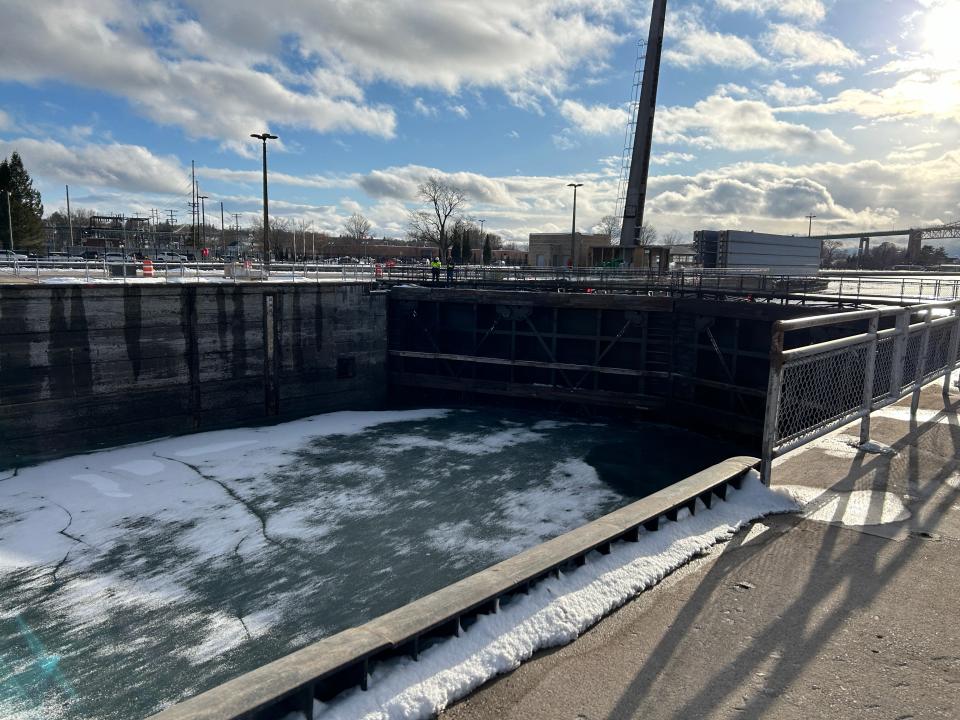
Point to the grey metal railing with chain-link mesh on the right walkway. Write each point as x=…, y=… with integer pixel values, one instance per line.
x=817, y=388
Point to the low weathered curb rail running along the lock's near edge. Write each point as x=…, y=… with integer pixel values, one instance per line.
x=344, y=660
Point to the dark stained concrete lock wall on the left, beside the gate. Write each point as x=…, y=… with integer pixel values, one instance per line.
x=84, y=367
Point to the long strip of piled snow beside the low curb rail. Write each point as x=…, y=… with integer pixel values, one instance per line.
x=554, y=613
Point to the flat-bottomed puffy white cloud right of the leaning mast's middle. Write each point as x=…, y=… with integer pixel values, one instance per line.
x=727, y=123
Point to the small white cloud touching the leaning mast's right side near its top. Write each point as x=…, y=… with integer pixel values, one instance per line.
x=693, y=45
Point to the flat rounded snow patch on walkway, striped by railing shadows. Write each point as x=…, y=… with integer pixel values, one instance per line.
x=855, y=509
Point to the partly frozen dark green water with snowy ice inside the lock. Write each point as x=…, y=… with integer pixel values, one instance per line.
x=135, y=577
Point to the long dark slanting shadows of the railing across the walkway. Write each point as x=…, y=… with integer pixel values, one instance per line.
x=844, y=568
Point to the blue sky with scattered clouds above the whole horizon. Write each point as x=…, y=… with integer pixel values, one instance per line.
x=768, y=110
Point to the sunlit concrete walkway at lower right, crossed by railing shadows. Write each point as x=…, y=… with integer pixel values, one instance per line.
x=794, y=617
